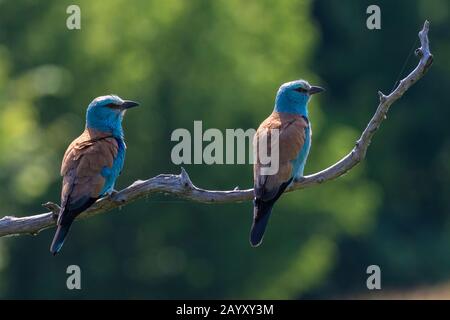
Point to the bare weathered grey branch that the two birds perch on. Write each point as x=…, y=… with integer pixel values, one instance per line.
x=182, y=187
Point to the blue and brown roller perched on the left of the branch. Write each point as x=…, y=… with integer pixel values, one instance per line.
x=92, y=162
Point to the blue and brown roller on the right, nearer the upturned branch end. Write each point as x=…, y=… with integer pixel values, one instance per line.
x=290, y=117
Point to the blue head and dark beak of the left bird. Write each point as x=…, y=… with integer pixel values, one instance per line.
x=105, y=114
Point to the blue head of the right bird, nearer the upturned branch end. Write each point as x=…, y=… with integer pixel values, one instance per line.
x=293, y=96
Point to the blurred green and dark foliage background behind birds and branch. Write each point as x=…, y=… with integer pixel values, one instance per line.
x=221, y=62
